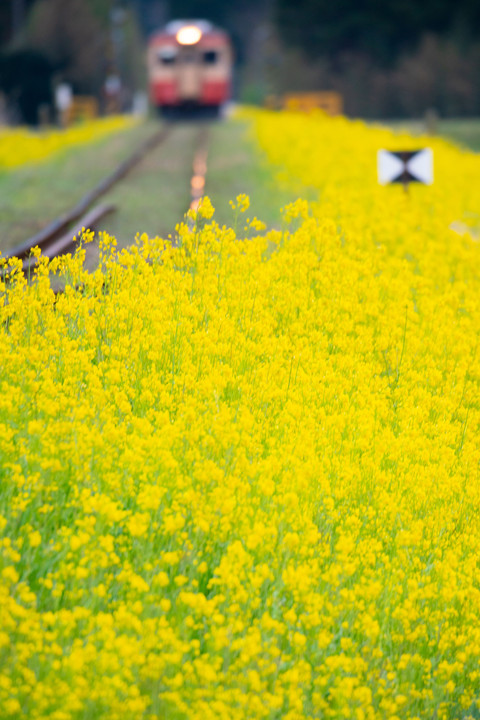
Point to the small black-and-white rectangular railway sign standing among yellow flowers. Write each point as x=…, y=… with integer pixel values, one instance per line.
x=405, y=166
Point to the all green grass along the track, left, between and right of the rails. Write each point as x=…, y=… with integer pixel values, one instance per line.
x=154, y=196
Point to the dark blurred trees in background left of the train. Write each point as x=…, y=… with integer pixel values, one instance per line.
x=77, y=42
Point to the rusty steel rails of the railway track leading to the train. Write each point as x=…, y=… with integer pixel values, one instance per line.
x=57, y=238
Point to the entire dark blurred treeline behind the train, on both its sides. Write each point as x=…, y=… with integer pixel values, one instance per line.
x=395, y=58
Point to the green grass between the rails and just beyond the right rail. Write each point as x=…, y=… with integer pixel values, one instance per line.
x=155, y=197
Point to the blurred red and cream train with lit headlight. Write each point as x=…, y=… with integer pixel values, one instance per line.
x=189, y=67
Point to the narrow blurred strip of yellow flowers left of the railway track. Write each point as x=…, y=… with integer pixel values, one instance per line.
x=21, y=146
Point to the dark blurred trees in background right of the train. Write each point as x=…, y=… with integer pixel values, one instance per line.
x=389, y=59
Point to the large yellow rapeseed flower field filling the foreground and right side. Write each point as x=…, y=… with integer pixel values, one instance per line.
x=240, y=475
